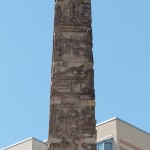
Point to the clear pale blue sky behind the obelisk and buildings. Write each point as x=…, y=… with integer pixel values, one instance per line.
x=121, y=45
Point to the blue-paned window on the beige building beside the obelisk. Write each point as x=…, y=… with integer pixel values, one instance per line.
x=105, y=145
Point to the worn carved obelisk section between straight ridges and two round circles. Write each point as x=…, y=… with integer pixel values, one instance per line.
x=73, y=52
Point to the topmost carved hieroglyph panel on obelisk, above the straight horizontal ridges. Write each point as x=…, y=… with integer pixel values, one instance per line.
x=73, y=12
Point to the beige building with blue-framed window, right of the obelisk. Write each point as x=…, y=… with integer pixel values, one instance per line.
x=116, y=134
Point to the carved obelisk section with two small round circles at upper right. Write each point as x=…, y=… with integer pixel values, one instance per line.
x=75, y=80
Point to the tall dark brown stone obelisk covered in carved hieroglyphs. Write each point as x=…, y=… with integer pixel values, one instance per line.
x=72, y=105
